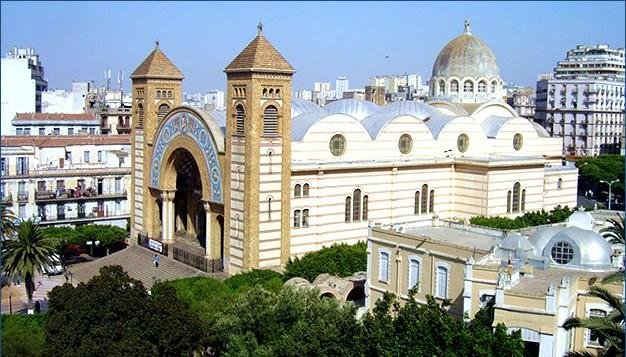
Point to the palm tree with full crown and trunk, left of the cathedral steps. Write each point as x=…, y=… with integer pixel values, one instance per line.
x=28, y=251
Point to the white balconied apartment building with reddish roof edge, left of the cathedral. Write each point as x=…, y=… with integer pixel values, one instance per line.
x=67, y=180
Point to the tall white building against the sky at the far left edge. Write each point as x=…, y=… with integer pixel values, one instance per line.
x=22, y=84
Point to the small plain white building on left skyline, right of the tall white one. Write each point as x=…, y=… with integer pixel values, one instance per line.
x=62, y=101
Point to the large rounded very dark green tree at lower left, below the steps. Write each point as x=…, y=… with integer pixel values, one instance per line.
x=112, y=314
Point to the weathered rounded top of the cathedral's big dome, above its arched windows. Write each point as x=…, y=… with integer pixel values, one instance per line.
x=466, y=56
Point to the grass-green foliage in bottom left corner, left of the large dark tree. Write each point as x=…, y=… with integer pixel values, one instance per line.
x=22, y=335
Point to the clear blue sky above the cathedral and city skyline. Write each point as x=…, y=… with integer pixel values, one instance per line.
x=321, y=40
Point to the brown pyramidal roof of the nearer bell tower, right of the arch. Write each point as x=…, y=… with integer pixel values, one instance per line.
x=261, y=56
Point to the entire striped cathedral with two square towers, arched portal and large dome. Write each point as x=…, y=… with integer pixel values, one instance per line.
x=275, y=177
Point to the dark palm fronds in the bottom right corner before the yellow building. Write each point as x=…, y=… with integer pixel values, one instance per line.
x=609, y=328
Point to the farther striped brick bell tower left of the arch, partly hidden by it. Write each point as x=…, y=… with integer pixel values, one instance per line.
x=156, y=90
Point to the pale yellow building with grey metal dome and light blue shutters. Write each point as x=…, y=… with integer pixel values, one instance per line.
x=535, y=281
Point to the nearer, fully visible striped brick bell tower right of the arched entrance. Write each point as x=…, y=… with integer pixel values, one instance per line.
x=258, y=156
